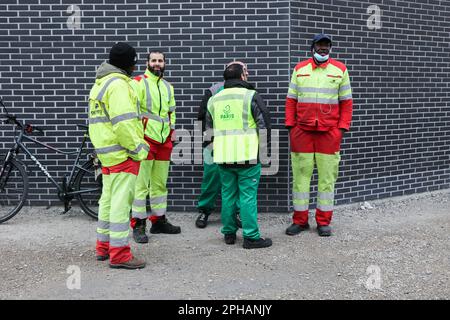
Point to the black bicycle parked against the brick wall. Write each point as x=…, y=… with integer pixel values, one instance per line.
x=85, y=185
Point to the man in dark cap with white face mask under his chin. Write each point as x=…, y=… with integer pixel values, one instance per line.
x=318, y=113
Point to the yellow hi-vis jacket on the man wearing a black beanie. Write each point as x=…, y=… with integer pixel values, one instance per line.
x=114, y=127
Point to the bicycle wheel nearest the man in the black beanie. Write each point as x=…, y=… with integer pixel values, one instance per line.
x=89, y=180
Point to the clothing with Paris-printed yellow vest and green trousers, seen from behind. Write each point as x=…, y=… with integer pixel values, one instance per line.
x=236, y=140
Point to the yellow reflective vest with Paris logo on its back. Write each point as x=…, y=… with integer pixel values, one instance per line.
x=235, y=133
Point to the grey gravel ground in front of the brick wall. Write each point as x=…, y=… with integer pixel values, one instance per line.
x=399, y=249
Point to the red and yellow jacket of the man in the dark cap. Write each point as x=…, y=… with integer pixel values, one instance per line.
x=319, y=96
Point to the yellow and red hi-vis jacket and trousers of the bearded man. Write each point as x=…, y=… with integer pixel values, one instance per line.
x=157, y=106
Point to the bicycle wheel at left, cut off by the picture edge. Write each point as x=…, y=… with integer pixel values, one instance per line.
x=13, y=188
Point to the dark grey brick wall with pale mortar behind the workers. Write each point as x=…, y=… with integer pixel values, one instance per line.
x=399, y=142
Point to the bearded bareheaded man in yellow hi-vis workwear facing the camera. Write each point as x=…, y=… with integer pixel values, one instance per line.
x=157, y=111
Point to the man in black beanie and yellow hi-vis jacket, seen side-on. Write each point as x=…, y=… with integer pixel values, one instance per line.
x=118, y=138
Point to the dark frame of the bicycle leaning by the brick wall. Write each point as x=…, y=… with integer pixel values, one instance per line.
x=19, y=145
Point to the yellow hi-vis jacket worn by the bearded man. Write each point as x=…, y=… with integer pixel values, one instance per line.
x=157, y=105
